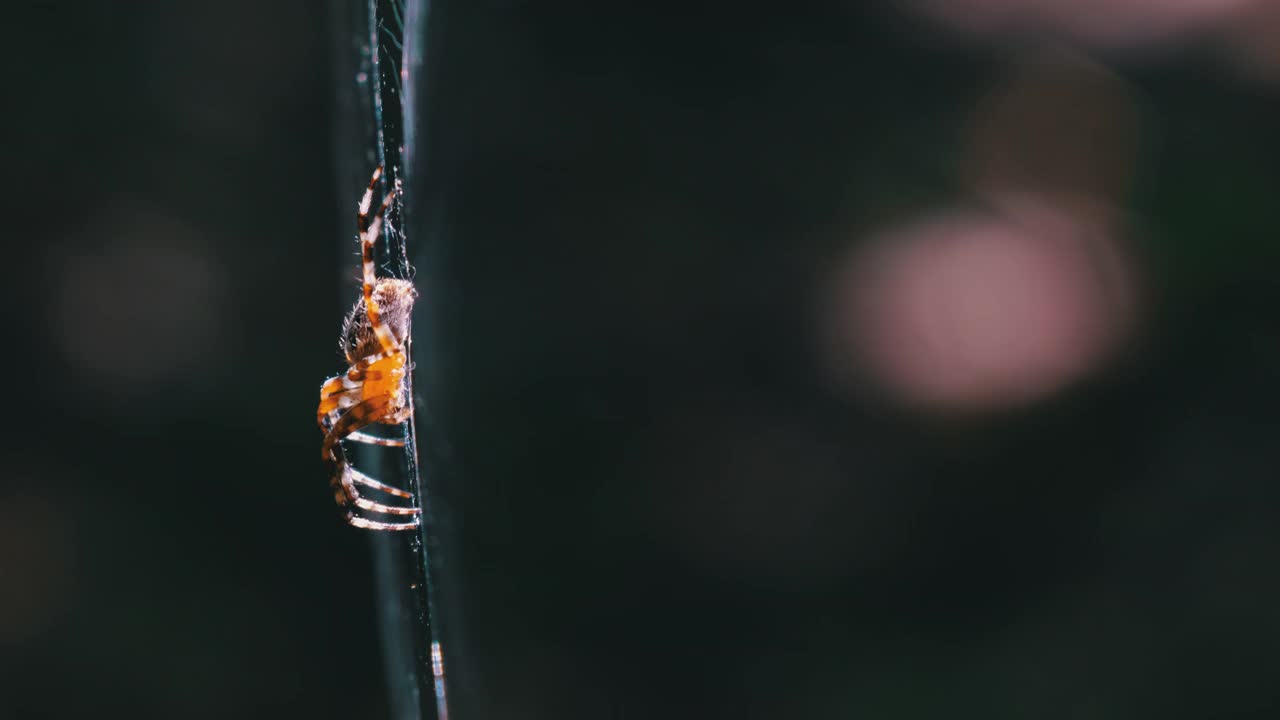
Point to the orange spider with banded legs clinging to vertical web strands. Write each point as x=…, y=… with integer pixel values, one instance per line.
x=373, y=390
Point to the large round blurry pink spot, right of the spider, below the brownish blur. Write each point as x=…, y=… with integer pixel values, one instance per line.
x=972, y=311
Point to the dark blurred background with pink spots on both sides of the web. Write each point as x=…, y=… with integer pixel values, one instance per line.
x=938, y=340
